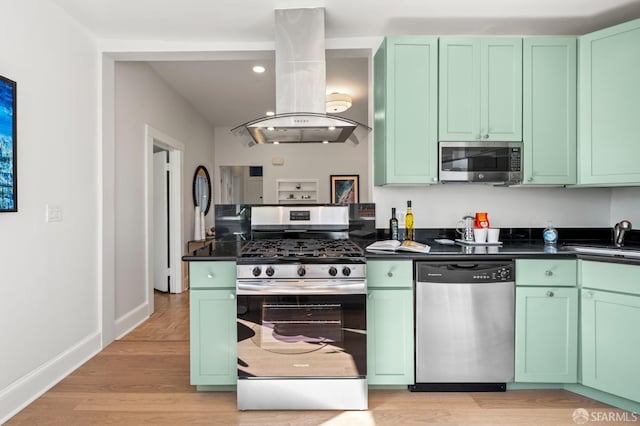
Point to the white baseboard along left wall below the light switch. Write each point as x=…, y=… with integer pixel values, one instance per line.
x=28, y=388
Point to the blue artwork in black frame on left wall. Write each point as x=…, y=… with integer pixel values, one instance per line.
x=8, y=172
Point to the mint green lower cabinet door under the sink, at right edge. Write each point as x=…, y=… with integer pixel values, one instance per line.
x=610, y=343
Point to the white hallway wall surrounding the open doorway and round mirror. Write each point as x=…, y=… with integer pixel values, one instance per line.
x=142, y=97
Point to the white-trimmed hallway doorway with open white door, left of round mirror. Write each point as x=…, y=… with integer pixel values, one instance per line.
x=164, y=213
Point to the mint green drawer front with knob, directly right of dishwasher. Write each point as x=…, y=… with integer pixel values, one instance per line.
x=546, y=272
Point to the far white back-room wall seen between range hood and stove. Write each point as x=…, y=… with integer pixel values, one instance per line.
x=301, y=161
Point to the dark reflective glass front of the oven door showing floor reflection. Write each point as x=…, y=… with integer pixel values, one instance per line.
x=294, y=338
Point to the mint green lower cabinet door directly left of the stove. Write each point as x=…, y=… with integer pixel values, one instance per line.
x=213, y=338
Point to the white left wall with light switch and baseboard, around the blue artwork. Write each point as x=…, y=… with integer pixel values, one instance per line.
x=49, y=308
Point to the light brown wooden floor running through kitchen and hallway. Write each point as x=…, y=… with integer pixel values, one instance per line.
x=143, y=379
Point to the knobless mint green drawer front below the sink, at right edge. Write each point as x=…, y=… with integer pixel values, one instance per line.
x=620, y=277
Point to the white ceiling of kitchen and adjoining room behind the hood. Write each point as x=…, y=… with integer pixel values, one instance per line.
x=227, y=93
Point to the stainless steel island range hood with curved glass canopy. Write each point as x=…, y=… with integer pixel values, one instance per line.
x=300, y=86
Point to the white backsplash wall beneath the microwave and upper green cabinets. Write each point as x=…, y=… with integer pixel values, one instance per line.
x=441, y=206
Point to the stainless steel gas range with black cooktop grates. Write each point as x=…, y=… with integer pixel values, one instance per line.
x=301, y=286
